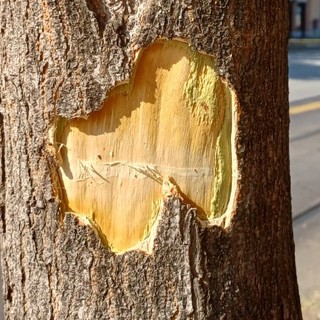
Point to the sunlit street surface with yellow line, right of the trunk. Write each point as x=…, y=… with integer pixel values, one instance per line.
x=304, y=85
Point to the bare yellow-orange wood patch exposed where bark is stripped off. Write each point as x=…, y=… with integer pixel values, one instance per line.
x=172, y=119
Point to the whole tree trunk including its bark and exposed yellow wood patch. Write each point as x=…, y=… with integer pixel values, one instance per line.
x=103, y=103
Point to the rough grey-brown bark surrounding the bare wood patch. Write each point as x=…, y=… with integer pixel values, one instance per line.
x=60, y=57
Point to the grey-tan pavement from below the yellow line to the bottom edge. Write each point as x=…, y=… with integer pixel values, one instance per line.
x=305, y=186
